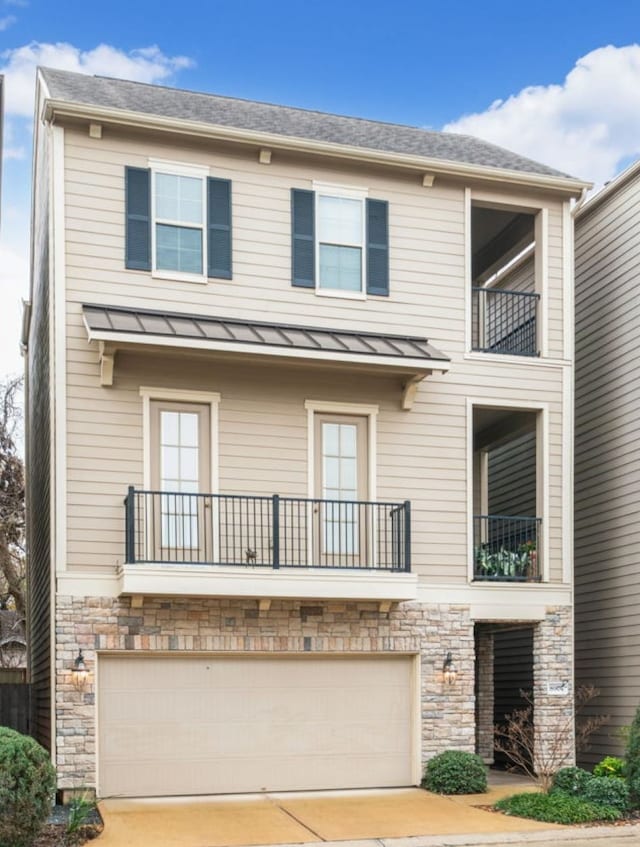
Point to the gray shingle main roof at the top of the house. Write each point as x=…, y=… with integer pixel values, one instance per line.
x=283, y=120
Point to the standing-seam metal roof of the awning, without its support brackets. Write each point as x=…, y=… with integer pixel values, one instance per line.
x=143, y=322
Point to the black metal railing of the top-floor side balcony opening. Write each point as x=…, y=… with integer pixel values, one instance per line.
x=505, y=321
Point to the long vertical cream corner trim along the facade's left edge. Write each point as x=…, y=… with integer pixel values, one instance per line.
x=59, y=381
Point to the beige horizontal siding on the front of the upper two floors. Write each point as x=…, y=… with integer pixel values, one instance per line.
x=421, y=454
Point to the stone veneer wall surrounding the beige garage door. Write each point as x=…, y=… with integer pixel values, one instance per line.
x=182, y=625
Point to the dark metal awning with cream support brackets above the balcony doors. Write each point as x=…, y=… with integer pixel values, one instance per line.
x=412, y=357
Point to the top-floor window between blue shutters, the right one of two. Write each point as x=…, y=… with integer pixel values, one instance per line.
x=341, y=238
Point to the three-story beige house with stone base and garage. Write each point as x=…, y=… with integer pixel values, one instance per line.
x=300, y=440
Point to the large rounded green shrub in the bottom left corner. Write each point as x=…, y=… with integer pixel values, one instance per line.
x=27, y=784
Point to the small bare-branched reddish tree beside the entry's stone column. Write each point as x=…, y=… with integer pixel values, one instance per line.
x=516, y=738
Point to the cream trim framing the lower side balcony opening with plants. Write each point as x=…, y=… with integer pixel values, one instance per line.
x=542, y=454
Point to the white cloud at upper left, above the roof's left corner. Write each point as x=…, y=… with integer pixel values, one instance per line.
x=146, y=64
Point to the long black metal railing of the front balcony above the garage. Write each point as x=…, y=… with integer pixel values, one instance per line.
x=273, y=532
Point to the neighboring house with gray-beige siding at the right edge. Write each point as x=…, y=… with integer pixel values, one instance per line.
x=607, y=455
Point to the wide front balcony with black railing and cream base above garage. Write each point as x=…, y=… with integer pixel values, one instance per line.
x=266, y=546
